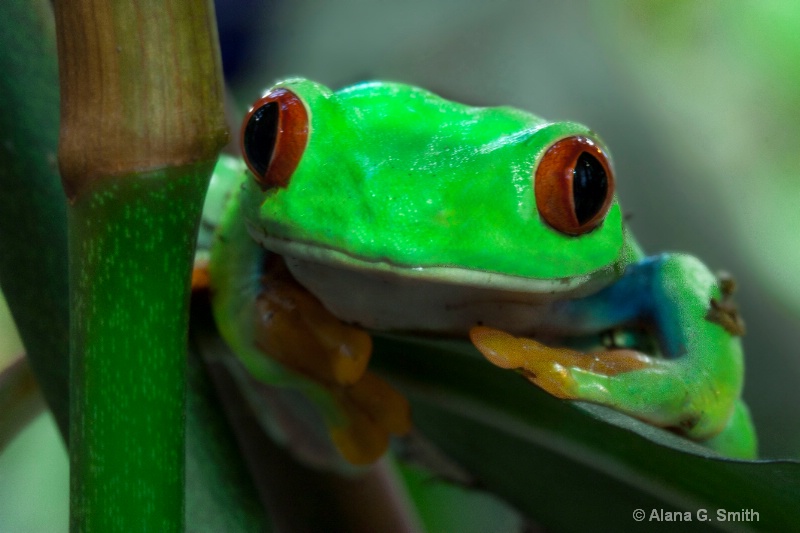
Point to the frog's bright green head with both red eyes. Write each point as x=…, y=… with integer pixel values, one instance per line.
x=389, y=178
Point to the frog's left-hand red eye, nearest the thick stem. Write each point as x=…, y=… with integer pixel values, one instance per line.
x=274, y=136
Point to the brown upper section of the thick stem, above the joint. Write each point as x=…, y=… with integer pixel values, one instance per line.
x=141, y=87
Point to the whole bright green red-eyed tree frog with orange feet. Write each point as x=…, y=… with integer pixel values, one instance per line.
x=383, y=207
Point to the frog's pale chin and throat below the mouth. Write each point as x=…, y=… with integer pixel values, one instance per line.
x=438, y=299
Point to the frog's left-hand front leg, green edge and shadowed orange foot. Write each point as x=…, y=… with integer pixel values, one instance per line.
x=285, y=337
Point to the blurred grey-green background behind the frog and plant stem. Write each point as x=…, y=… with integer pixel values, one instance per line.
x=698, y=102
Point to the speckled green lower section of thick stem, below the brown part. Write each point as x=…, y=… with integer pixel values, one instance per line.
x=133, y=245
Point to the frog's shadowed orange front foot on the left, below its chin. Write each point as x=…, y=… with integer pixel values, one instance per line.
x=293, y=328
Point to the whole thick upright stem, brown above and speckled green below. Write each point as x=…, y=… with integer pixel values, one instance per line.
x=141, y=126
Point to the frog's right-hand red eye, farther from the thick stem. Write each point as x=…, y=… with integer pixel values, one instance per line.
x=574, y=185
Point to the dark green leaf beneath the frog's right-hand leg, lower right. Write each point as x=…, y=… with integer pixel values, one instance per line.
x=566, y=466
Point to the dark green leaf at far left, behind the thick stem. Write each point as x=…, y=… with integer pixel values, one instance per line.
x=33, y=219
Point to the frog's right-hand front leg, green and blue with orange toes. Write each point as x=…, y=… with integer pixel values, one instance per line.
x=690, y=384
